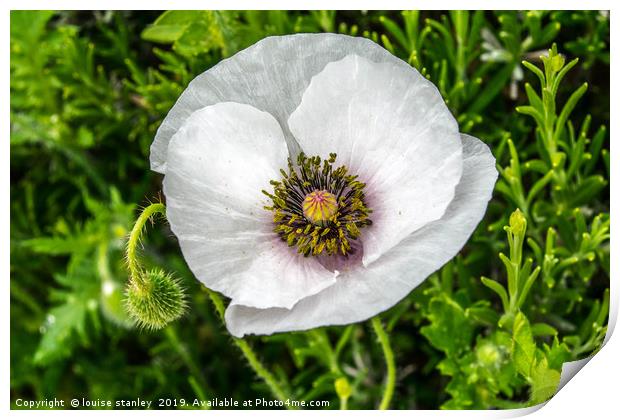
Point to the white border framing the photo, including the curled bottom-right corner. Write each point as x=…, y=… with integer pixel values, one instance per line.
x=592, y=393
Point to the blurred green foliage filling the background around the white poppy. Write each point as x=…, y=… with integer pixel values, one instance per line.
x=88, y=91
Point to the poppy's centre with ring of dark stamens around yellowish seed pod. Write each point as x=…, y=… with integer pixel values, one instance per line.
x=317, y=208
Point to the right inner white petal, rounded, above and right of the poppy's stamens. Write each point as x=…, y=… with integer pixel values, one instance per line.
x=391, y=127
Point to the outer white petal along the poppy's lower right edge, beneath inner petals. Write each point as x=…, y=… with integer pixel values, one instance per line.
x=364, y=292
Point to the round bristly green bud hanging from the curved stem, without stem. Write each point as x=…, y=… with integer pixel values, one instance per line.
x=156, y=300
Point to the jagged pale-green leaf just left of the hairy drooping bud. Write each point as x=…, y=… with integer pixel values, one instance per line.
x=88, y=282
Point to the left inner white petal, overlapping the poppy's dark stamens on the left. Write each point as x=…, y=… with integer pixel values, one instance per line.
x=218, y=163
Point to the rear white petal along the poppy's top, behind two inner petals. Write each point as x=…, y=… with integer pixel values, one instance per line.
x=271, y=75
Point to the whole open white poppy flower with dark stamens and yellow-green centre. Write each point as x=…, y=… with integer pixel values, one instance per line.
x=421, y=187
